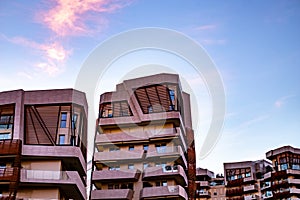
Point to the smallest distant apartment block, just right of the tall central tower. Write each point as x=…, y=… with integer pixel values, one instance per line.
x=208, y=186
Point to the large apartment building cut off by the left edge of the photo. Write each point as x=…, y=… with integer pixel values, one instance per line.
x=43, y=144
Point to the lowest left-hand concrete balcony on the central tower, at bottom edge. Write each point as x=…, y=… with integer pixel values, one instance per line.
x=122, y=194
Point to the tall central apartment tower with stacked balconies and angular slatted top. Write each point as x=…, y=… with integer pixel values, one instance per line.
x=144, y=144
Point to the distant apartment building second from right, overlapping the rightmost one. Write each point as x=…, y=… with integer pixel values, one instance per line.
x=243, y=179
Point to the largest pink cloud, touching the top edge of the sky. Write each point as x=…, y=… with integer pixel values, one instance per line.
x=71, y=17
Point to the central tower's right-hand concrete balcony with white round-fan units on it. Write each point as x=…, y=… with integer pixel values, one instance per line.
x=169, y=172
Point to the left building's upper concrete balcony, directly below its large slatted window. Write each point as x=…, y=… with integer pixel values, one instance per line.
x=70, y=154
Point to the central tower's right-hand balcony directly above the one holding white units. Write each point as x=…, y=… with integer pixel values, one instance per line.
x=171, y=152
